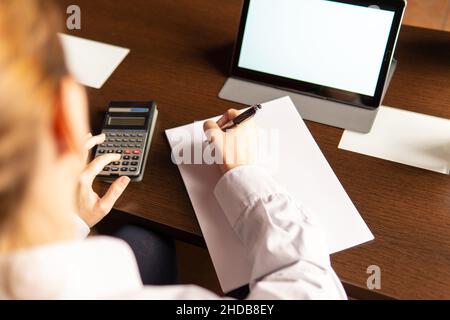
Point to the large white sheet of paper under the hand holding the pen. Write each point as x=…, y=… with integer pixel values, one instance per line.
x=303, y=171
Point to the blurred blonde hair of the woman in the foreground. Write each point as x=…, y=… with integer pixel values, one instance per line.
x=31, y=69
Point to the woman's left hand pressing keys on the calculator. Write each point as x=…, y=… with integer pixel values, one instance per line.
x=92, y=208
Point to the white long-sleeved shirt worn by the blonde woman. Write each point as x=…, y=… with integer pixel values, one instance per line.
x=289, y=256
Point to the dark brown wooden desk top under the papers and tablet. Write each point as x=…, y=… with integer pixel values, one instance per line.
x=180, y=53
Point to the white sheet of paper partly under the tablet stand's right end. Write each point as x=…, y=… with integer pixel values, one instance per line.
x=405, y=137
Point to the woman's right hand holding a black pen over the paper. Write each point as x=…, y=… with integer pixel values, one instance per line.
x=237, y=146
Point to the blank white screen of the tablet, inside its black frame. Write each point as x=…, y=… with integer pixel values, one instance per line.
x=322, y=42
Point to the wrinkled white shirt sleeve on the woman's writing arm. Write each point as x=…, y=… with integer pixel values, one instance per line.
x=284, y=242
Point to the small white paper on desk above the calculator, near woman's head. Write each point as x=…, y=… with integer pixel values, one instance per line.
x=91, y=62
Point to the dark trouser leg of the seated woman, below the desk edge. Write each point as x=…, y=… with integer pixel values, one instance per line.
x=154, y=253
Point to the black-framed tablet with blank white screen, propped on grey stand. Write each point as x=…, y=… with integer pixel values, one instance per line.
x=339, y=50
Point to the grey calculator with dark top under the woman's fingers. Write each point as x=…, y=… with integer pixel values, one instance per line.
x=128, y=127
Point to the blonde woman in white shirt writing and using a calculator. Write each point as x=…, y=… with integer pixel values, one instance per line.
x=47, y=204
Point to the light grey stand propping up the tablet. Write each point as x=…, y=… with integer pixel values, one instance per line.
x=315, y=109
